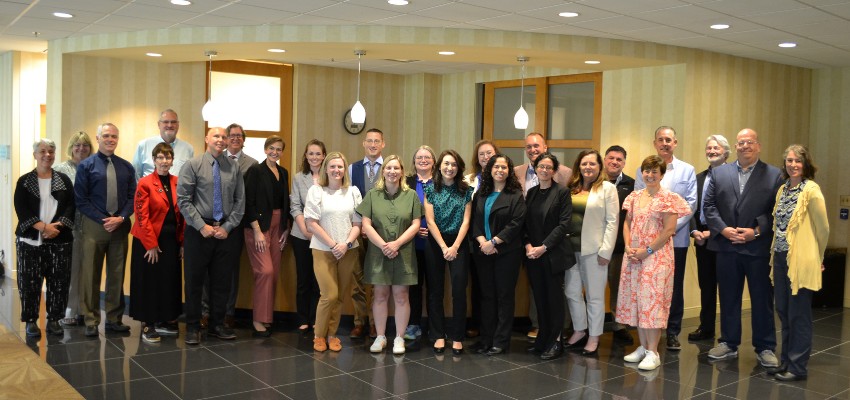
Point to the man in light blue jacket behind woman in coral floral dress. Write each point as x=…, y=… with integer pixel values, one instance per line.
x=681, y=179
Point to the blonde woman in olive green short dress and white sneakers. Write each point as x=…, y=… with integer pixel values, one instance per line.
x=391, y=215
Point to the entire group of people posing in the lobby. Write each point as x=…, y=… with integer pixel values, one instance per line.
x=374, y=228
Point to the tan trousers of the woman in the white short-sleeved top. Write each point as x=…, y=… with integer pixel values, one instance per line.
x=334, y=277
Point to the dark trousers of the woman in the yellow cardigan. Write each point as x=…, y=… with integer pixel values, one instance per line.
x=795, y=314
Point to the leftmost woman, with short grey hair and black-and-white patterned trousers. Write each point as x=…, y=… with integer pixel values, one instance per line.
x=44, y=204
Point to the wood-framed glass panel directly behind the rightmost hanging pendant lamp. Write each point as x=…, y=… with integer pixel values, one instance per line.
x=505, y=106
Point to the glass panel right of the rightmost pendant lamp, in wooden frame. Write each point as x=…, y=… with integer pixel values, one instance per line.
x=571, y=110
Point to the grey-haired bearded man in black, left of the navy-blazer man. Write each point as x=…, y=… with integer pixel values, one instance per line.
x=716, y=152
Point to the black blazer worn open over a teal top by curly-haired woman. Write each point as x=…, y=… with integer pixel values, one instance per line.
x=507, y=218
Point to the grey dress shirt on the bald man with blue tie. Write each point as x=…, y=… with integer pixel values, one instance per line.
x=195, y=191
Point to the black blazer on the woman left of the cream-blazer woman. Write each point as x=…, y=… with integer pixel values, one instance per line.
x=554, y=228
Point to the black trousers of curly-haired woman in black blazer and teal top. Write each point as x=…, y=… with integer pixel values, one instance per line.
x=497, y=275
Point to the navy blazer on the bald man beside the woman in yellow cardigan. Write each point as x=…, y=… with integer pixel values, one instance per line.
x=725, y=205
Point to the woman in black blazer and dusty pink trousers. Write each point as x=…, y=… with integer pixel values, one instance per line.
x=267, y=217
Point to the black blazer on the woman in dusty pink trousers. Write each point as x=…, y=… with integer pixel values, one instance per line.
x=260, y=187
